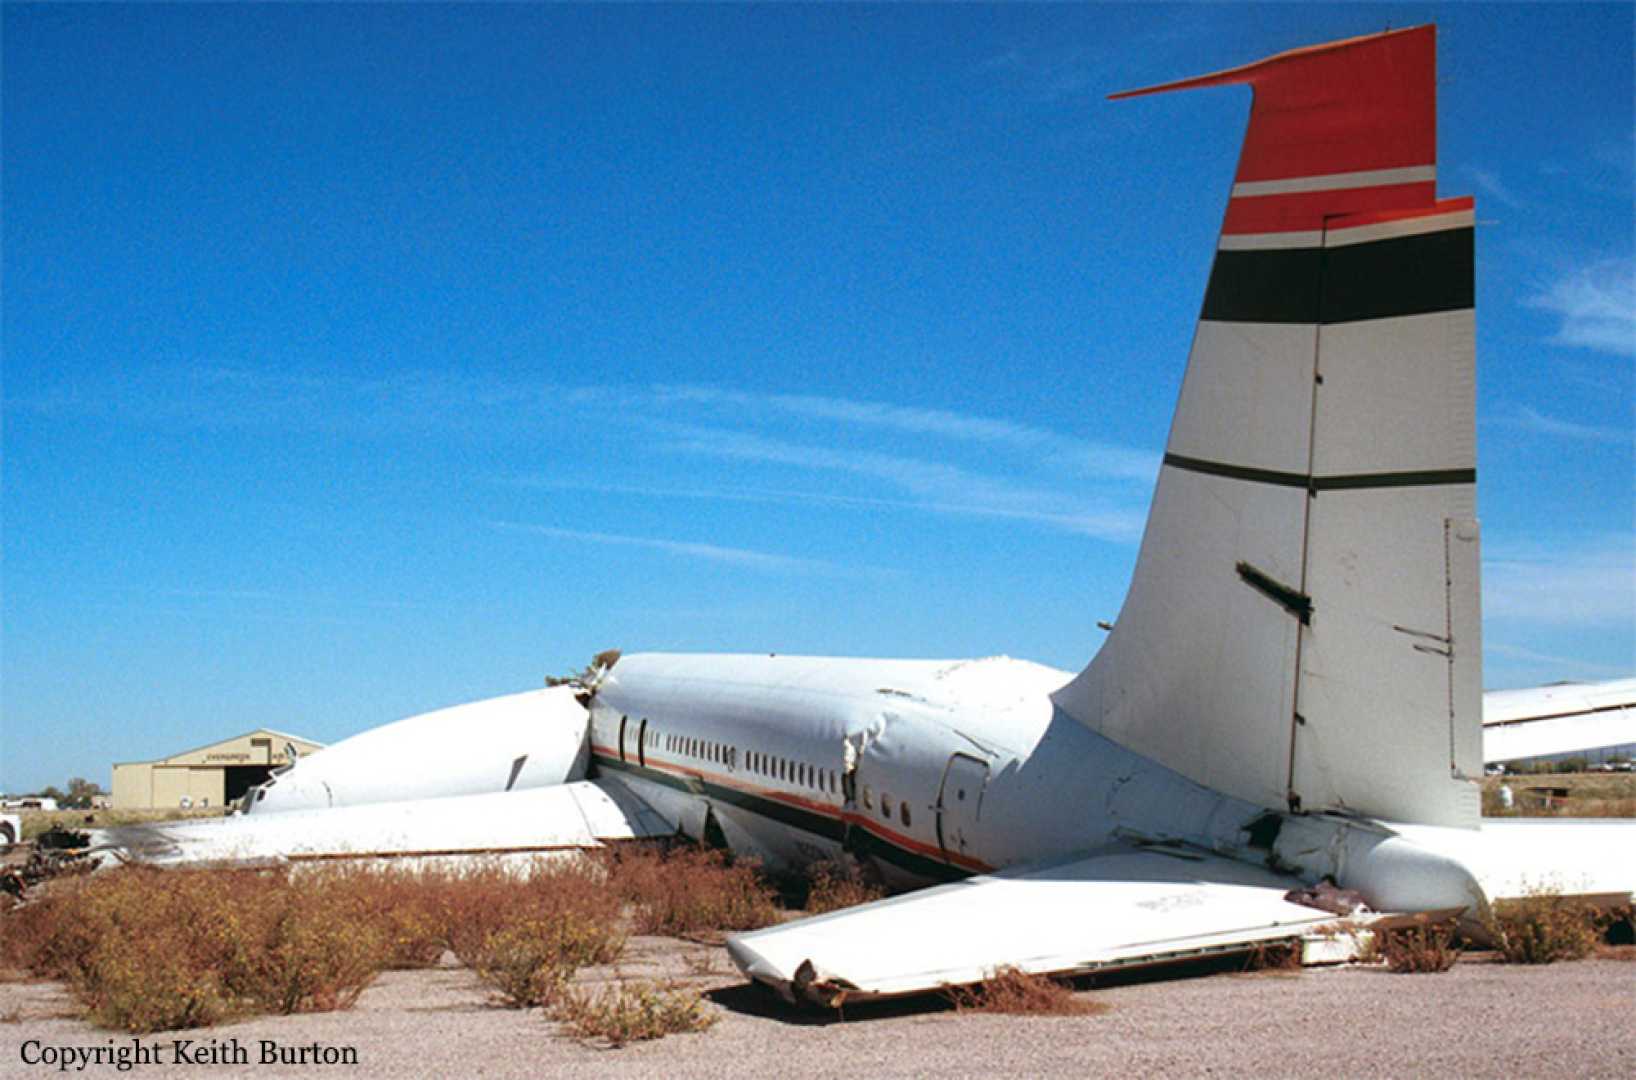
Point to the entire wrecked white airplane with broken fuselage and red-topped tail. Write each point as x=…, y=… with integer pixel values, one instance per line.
x=1288, y=701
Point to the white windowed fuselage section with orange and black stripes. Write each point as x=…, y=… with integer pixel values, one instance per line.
x=928, y=770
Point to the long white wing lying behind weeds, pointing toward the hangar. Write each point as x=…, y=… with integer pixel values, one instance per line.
x=534, y=822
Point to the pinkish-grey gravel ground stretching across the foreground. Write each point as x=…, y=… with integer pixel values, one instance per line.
x=1480, y=1020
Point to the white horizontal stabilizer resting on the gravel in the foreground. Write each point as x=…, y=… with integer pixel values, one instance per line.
x=1113, y=909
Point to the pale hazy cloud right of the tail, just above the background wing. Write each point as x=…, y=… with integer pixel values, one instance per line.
x=1591, y=583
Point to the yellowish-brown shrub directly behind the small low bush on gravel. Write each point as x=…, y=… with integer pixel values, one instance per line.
x=533, y=961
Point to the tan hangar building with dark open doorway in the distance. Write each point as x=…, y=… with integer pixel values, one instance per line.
x=209, y=776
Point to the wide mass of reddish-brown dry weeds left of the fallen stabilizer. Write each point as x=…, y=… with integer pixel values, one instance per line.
x=148, y=950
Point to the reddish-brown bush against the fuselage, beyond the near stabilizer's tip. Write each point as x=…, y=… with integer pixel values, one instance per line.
x=691, y=889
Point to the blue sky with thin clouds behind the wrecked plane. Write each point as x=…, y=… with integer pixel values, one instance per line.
x=361, y=361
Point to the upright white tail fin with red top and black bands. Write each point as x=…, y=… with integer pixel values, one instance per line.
x=1303, y=624
